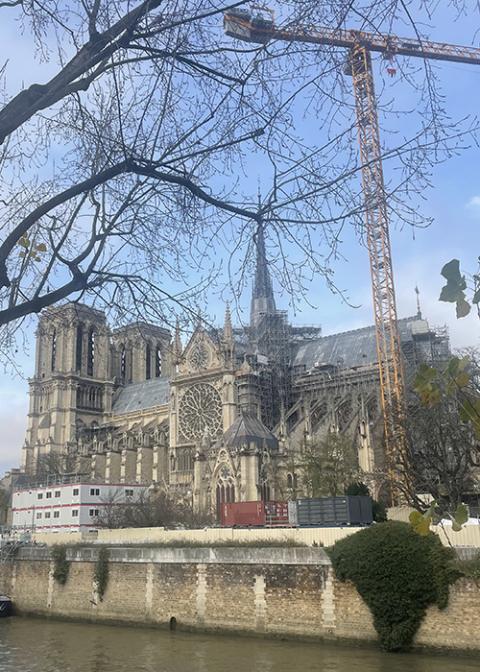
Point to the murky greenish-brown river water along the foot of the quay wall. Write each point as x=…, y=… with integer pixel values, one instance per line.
x=34, y=645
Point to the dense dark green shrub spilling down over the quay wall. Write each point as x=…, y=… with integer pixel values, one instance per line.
x=398, y=573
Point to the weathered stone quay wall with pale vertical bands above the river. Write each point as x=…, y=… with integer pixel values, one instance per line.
x=289, y=592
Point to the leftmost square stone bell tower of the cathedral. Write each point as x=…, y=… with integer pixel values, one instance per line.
x=71, y=387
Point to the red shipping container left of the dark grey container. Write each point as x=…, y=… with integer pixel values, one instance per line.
x=253, y=514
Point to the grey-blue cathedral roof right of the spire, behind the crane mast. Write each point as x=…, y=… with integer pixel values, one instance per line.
x=348, y=349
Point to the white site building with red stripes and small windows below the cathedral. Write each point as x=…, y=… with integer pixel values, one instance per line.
x=68, y=507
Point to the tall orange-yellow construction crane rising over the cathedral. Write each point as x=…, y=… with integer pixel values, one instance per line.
x=258, y=26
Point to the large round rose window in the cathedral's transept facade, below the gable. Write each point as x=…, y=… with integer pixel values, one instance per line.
x=200, y=411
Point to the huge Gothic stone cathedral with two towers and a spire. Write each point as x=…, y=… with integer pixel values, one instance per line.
x=225, y=417
